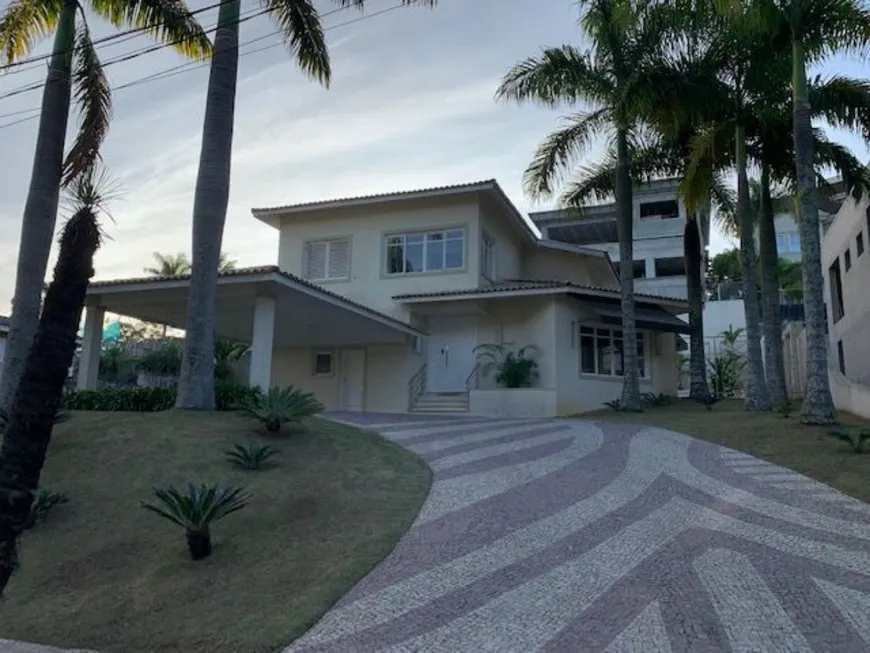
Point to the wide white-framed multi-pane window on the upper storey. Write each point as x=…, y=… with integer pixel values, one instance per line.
x=425, y=252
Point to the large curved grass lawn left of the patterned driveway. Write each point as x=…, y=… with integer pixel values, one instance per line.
x=103, y=573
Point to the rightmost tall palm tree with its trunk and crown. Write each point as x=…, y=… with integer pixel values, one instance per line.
x=814, y=29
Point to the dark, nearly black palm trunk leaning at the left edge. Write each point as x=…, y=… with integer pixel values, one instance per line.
x=31, y=418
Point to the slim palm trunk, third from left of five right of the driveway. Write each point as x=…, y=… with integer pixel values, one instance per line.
x=757, y=397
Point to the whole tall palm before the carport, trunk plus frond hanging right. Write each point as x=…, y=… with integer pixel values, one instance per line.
x=303, y=32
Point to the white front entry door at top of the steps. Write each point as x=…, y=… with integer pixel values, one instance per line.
x=450, y=353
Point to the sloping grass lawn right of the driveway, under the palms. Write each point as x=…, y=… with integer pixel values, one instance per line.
x=786, y=442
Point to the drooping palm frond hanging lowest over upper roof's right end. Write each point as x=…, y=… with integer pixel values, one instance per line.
x=560, y=149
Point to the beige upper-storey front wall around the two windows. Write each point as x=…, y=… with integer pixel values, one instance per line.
x=366, y=228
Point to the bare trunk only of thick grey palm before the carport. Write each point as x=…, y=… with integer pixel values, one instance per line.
x=196, y=382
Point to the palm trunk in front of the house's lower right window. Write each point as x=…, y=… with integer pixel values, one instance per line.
x=630, y=400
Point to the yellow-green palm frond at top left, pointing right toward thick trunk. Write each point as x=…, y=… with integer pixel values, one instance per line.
x=168, y=21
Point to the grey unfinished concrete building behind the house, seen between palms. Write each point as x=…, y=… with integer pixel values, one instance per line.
x=659, y=222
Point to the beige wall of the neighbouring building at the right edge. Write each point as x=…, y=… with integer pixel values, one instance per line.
x=852, y=328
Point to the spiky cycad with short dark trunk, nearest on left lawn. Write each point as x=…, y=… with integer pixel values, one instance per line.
x=196, y=510
